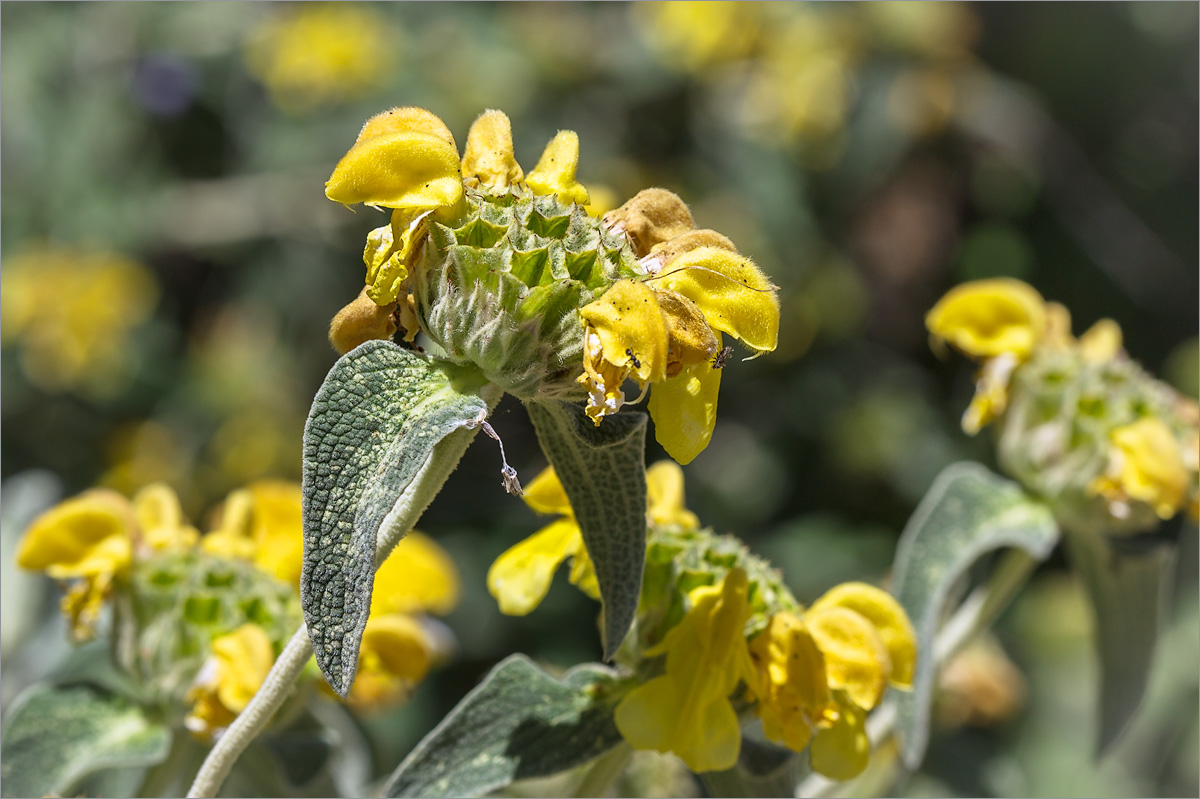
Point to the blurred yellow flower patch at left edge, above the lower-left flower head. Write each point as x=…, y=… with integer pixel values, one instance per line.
x=73, y=315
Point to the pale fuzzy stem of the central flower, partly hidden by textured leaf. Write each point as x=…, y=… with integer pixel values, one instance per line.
x=251, y=722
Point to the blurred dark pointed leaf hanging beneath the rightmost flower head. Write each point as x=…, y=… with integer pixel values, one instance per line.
x=1127, y=592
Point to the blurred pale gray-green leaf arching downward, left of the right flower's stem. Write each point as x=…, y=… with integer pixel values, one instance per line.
x=968, y=513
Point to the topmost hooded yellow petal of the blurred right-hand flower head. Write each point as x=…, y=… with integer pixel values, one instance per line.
x=986, y=319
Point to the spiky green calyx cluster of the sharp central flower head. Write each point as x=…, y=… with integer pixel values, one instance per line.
x=501, y=289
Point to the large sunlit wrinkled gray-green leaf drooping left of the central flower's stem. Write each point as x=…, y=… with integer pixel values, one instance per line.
x=374, y=429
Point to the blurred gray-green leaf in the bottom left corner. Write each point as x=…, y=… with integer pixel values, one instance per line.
x=55, y=737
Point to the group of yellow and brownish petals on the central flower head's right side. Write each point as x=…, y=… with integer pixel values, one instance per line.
x=668, y=328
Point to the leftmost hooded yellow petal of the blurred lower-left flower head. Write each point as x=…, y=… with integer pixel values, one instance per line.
x=85, y=537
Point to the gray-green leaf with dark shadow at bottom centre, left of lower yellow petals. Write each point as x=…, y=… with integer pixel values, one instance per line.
x=520, y=723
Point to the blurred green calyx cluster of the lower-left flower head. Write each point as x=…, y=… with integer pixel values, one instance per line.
x=176, y=604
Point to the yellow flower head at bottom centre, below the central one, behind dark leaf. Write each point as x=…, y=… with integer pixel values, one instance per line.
x=718, y=634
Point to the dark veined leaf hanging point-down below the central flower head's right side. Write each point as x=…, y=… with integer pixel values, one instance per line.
x=603, y=470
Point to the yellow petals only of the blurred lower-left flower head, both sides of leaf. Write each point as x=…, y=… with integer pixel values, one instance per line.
x=99, y=542
